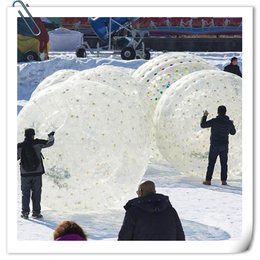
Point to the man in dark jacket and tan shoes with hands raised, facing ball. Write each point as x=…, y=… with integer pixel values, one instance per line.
x=221, y=127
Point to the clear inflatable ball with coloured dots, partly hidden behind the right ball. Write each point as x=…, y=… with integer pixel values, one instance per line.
x=158, y=74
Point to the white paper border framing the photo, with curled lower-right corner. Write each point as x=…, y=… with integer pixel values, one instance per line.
x=15, y=246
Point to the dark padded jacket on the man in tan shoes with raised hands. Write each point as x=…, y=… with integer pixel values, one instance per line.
x=221, y=127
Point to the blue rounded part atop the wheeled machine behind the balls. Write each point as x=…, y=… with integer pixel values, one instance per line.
x=100, y=25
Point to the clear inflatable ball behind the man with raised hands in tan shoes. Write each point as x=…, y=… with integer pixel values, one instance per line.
x=177, y=118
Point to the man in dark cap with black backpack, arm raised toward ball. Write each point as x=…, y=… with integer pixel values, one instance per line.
x=31, y=169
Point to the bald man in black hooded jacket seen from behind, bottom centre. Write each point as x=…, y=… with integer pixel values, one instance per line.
x=150, y=217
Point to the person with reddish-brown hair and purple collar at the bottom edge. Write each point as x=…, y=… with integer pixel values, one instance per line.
x=69, y=231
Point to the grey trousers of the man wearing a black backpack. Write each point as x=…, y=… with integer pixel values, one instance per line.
x=31, y=186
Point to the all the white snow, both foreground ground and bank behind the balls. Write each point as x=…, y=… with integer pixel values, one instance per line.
x=206, y=212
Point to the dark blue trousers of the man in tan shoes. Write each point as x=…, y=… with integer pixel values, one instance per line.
x=216, y=150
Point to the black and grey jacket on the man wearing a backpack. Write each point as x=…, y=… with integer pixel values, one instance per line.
x=38, y=145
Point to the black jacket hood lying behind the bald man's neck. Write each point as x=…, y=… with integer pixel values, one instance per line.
x=154, y=203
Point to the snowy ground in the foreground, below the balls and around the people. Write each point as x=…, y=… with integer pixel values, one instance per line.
x=207, y=213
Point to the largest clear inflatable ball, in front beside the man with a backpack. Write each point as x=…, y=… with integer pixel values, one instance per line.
x=101, y=149
